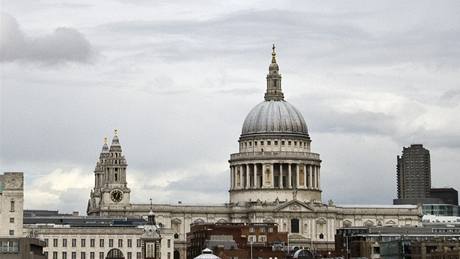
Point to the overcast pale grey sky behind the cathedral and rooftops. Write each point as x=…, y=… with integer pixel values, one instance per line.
x=177, y=78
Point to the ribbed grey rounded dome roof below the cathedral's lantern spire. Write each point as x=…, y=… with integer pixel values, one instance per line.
x=274, y=117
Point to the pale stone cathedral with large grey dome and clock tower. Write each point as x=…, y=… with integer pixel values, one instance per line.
x=274, y=178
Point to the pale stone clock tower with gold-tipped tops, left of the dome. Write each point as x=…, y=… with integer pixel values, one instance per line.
x=110, y=194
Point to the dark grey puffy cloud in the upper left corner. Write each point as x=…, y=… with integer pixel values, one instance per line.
x=64, y=44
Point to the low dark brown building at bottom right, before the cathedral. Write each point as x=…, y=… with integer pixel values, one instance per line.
x=386, y=242
